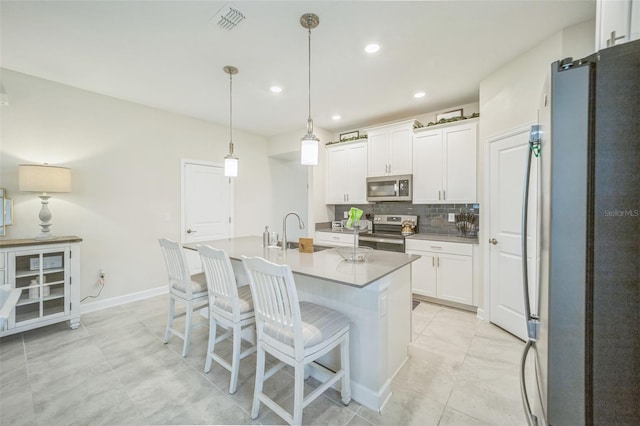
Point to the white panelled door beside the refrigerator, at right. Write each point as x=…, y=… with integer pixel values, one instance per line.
x=508, y=164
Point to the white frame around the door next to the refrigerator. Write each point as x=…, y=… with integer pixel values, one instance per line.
x=485, y=313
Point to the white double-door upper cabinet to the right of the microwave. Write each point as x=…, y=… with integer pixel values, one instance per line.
x=444, y=164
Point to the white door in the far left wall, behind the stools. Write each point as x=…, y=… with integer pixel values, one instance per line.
x=206, y=209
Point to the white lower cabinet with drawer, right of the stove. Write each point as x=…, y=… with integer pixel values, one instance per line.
x=444, y=271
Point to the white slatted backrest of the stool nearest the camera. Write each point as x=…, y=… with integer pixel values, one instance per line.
x=275, y=300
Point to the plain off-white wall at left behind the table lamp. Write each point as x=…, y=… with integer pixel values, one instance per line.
x=125, y=162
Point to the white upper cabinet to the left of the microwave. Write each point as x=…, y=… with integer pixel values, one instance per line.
x=347, y=173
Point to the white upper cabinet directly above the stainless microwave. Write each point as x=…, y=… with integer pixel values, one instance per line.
x=390, y=149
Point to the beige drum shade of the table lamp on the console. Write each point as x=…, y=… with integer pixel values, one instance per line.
x=36, y=178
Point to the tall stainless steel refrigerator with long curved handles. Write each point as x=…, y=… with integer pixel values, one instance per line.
x=584, y=337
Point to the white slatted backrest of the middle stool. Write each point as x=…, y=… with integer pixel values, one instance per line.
x=221, y=281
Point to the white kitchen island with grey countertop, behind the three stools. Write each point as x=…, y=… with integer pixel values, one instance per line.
x=375, y=295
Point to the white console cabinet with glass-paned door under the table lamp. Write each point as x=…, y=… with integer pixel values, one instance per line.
x=48, y=274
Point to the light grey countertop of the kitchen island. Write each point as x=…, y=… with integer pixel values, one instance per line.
x=325, y=264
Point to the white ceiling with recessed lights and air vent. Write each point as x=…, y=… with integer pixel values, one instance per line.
x=170, y=54
